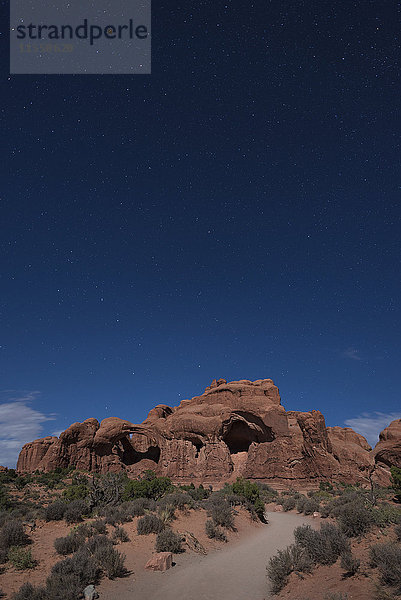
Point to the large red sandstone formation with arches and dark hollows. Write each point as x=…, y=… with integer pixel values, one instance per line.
x=236, y=428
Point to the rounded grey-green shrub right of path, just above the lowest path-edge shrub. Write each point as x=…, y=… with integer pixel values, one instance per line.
x=324, y=546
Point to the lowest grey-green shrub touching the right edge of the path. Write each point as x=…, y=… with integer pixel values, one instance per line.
x=280, y=566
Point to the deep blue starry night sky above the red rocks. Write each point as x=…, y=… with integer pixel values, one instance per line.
x=234, y=214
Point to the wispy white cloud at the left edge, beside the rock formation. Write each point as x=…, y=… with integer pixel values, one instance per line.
x=19, y=423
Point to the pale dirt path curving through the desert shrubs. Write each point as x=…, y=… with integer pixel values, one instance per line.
x=236, y=572
